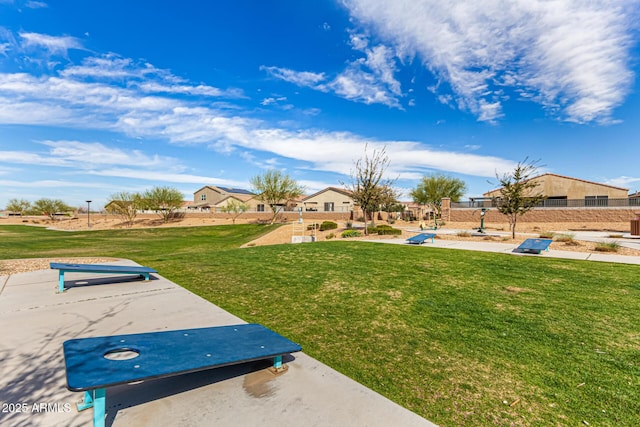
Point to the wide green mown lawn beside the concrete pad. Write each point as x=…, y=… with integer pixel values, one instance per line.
x=461, y=338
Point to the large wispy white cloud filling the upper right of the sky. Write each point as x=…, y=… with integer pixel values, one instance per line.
x=572, y=54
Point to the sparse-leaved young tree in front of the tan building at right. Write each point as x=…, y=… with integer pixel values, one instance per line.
x=518, y=193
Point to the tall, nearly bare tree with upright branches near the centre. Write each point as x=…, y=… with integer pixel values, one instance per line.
x=367, y=187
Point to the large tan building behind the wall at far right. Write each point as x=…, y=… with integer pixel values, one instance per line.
x=561, y=188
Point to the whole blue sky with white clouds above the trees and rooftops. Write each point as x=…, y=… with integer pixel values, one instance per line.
x=102, y=97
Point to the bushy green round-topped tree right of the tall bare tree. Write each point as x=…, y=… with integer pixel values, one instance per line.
x=433, y=188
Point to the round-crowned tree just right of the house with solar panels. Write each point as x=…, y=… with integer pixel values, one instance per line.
x=275, y=189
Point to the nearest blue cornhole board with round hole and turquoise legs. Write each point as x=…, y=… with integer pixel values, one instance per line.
x=93, y=364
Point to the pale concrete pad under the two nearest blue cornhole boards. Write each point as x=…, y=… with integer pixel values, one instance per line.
x=36, y=321
